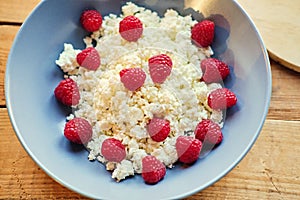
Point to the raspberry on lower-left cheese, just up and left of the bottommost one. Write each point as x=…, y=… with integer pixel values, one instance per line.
x=113, y=150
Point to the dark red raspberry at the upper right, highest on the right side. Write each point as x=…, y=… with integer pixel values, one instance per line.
x=203, y=33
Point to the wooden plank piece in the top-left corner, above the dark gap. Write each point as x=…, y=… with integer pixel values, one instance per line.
x=15, y=11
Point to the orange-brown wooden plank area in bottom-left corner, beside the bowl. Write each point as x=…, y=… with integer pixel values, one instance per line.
x=21, y=178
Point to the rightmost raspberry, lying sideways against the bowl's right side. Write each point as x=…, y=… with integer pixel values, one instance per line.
x=221, y=98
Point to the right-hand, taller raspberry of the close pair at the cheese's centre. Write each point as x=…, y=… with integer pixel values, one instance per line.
x=160, y=67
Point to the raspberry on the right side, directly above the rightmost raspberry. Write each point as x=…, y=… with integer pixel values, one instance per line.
x=214, y=70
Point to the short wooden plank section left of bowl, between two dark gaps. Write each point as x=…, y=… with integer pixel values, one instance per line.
x=7, y=35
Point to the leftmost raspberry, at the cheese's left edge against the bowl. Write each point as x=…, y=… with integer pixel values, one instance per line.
x=67, y=92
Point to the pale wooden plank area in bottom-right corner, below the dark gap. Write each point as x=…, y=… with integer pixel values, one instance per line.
x=269, y=171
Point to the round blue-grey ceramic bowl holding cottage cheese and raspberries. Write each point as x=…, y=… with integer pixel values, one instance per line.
x=32, y=75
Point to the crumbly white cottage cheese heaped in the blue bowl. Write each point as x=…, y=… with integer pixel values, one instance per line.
x=116, y=112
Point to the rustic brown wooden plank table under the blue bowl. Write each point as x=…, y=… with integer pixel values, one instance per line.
x=270, y=170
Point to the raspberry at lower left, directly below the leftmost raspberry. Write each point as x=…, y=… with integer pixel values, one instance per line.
x=78, y=130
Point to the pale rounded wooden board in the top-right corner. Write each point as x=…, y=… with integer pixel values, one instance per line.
x=279, y=24
